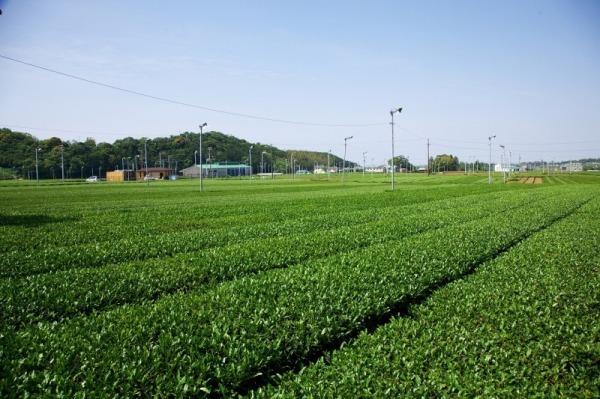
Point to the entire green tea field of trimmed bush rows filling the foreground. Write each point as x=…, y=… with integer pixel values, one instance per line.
x=283, y=288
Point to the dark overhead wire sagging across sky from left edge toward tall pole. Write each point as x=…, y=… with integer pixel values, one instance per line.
x=185, y=104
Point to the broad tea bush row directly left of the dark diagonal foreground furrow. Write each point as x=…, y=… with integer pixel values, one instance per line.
x=222, y=339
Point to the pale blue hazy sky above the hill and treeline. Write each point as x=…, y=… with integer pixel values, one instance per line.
x=527, y=71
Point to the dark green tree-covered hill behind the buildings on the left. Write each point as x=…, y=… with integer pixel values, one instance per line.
x=17, y=153
